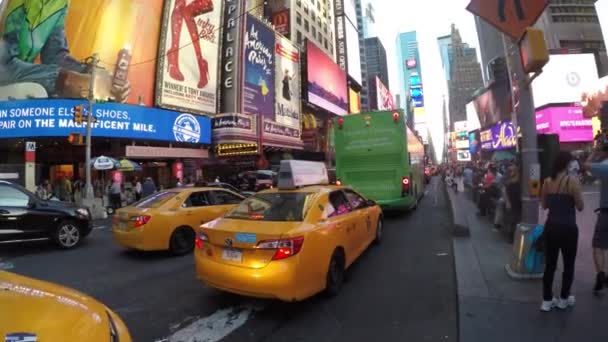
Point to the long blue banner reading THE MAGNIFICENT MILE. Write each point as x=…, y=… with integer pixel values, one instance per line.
x=54, y=118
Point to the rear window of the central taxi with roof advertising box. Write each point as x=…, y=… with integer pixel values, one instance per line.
x=277, y=206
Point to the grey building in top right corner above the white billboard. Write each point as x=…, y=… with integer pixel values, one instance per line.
x=574, y=24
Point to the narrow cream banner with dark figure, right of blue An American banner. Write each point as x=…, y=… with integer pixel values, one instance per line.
x=287, y=101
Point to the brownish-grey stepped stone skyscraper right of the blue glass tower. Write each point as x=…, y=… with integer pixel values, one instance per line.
x=465, y=77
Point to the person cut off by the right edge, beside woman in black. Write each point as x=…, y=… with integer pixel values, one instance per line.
x=598, y=165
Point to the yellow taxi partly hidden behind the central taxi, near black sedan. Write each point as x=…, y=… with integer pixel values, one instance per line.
x=166, y=220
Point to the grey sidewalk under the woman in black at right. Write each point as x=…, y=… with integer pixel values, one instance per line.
x=495, y=307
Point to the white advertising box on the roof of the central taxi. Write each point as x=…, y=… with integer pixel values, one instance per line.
x=295, y=174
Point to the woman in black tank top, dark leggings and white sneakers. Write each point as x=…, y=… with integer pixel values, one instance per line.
x=561, y=194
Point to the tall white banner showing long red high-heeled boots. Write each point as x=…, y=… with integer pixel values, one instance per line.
x=188, y=66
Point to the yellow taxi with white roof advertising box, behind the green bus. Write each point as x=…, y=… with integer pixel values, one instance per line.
x=291, y=242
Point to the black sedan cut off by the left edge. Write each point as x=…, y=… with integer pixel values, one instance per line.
x=23, y=216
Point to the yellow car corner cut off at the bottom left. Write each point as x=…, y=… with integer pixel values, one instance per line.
x=34, y=310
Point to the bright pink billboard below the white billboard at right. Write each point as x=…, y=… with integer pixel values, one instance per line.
x=567, y=122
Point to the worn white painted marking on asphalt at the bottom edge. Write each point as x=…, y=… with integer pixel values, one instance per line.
x=215, y=327
